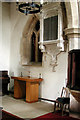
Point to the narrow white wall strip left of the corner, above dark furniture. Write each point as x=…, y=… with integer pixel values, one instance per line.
x=5, y=36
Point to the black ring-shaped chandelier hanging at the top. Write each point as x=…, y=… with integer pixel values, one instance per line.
x=29, y=7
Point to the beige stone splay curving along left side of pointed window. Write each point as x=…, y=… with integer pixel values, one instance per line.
x=25, y=45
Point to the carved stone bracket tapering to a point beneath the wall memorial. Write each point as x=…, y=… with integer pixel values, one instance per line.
x=52, y=50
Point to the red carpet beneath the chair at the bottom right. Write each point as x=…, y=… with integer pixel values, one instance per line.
x=56, y=116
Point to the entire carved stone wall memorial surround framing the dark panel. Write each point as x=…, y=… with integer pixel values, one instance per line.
x=54, y=46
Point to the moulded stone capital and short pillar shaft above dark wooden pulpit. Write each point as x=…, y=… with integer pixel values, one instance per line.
x=73, y=37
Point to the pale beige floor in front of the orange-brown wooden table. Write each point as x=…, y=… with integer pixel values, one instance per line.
x=25, y=110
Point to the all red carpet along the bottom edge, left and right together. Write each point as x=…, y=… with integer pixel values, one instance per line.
x=49, y=116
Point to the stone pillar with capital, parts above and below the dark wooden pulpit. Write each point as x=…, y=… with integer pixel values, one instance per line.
x=73, y=35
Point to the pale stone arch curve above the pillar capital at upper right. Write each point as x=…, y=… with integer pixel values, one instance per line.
x=72, y=13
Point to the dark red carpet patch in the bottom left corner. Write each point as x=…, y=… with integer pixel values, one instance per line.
x=9, y=116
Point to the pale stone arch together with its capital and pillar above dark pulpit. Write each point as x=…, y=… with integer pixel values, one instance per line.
x=72, y=31
